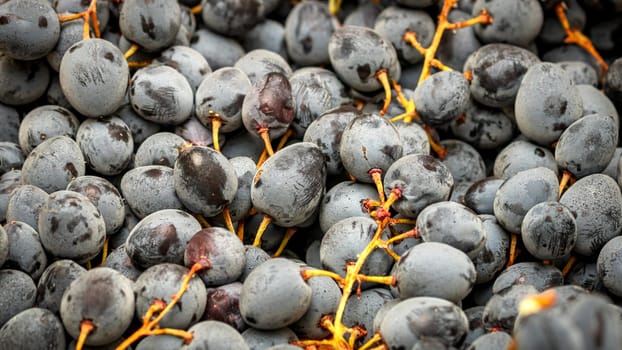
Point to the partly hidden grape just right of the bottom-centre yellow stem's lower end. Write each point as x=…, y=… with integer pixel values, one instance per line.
x=362, y=310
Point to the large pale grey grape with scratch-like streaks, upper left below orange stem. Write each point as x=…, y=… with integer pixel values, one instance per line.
x=93, y=76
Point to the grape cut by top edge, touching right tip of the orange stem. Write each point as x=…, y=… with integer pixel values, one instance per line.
x=517, y=23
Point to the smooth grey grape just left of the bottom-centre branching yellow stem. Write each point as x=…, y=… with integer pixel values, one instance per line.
x=274, y=295
